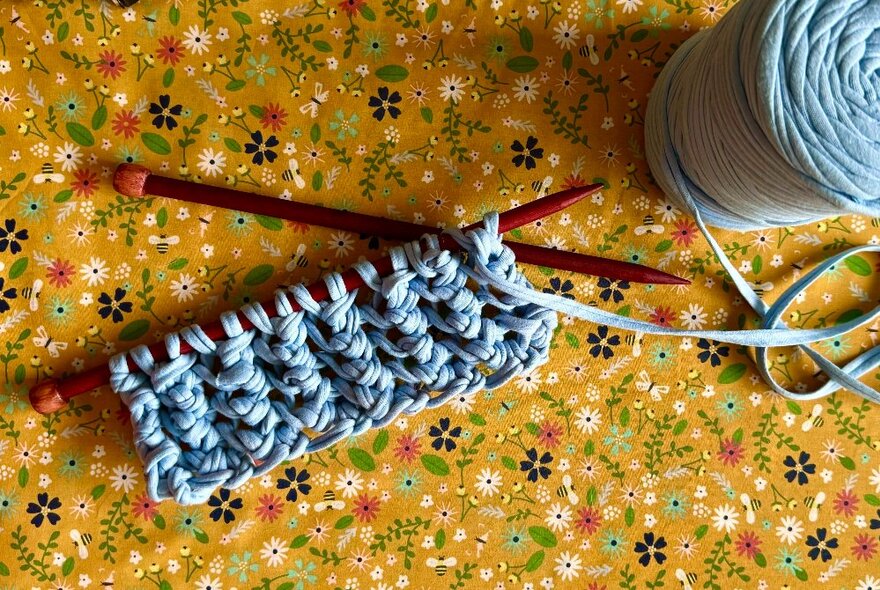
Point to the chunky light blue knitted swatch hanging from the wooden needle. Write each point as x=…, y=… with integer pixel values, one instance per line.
x=303, y=380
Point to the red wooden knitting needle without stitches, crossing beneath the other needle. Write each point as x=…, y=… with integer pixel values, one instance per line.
x=133, y=180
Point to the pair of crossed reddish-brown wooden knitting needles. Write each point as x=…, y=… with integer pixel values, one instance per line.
x=137, y=181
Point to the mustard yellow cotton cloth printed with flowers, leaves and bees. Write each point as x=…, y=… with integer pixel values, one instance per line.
x=593, y=472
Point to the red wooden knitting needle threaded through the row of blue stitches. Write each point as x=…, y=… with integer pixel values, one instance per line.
x=53, y=394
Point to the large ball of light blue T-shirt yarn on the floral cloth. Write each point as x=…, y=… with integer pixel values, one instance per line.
x=772, y=118
